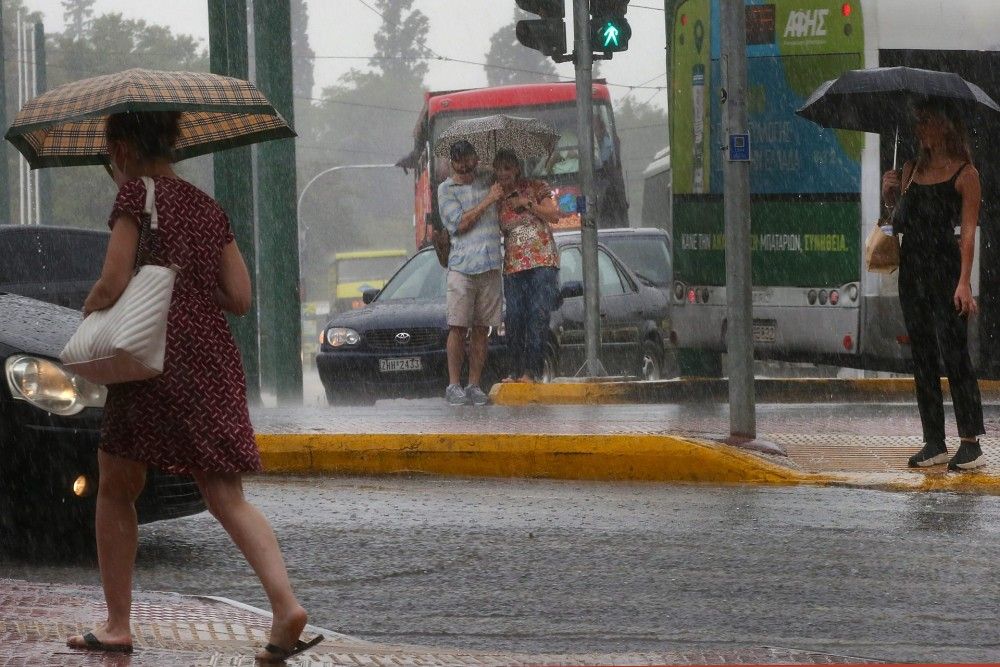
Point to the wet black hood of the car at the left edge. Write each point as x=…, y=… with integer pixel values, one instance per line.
x=35, y=327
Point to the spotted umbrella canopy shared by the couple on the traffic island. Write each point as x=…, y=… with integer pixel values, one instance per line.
x=528, y=137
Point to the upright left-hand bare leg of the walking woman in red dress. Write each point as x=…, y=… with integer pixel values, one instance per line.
x=121, y=482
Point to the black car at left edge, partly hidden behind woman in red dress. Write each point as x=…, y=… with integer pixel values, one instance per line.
x=49, y=417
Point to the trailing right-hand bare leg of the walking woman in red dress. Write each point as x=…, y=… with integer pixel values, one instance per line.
x=249, y=529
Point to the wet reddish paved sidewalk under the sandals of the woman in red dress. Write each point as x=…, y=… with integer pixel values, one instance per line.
x=173, y=630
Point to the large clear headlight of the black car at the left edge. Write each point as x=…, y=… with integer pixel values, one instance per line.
x=47, y=385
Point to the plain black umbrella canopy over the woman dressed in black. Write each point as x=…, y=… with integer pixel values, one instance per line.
x=875, y=99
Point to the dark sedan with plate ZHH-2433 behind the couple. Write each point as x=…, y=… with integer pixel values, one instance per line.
x=395, y=346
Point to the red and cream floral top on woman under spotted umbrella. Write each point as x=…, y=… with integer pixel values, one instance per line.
x=528, y=241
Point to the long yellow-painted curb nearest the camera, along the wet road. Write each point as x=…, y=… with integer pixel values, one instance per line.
x=661, y=458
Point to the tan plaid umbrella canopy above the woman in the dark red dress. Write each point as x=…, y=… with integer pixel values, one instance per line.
x=65, y=126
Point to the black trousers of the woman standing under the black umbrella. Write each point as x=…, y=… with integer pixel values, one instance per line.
x=938, y=333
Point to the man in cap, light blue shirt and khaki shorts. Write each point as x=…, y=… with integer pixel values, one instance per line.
x=467, y=204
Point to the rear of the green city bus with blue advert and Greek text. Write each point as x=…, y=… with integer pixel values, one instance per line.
x=804, y=180
